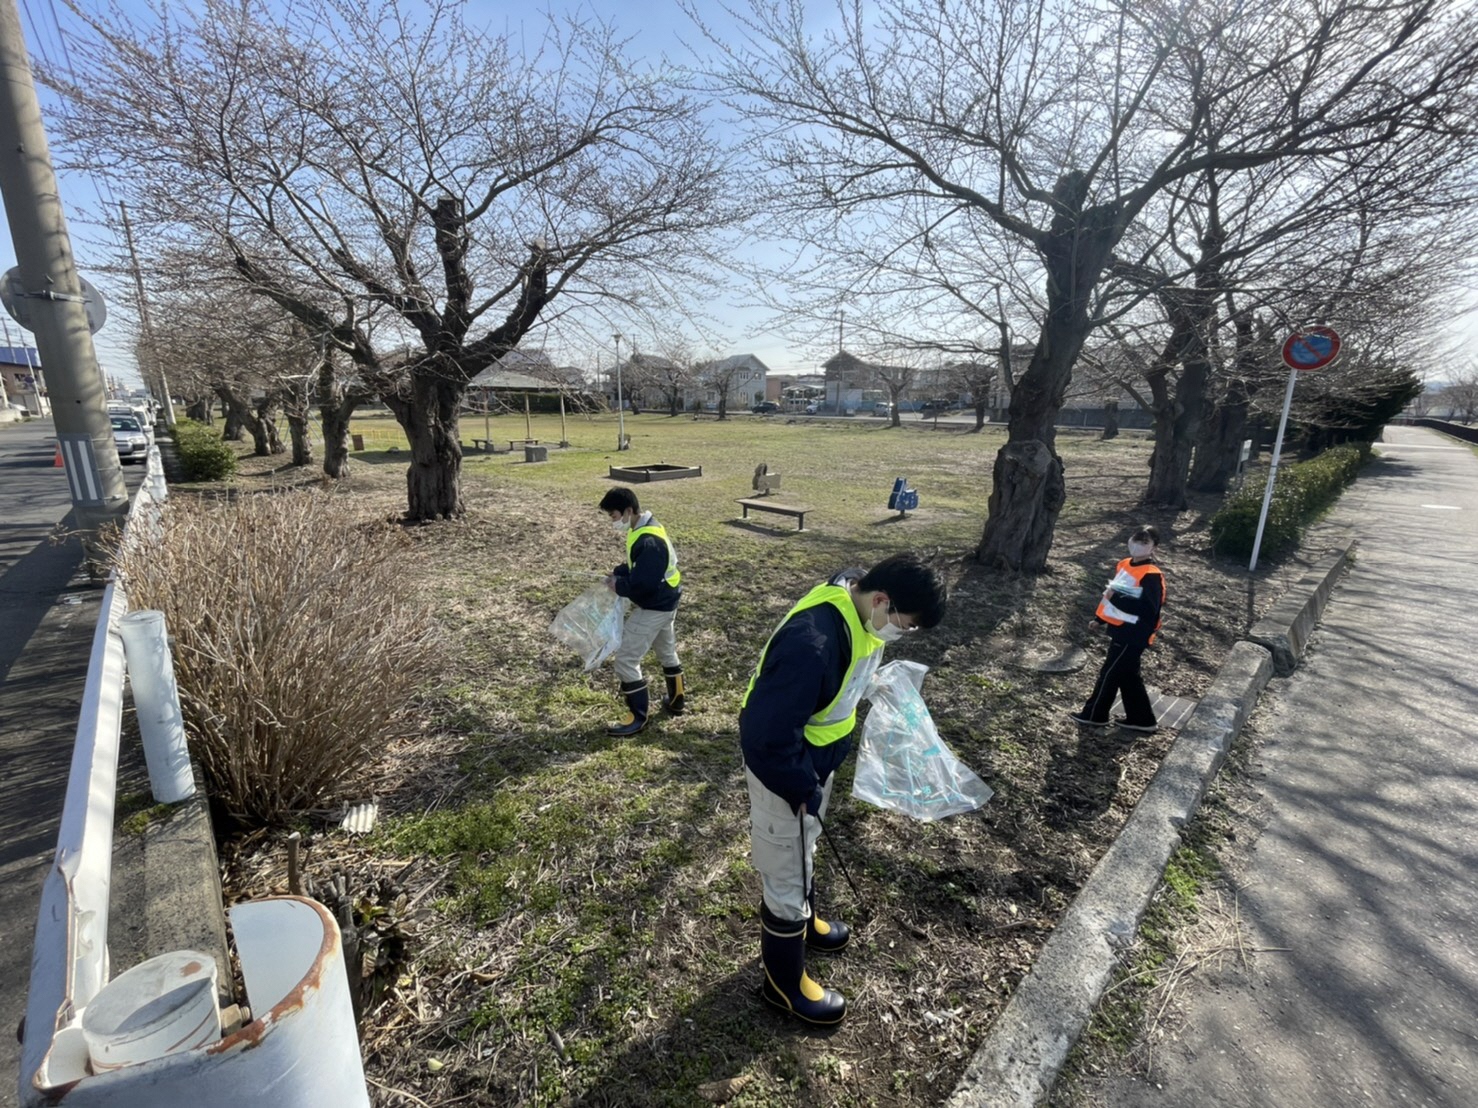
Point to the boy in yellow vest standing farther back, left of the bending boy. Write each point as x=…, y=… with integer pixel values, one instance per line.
x=651, y=581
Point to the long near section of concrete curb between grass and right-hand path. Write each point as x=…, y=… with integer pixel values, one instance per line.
x=1031, y=1041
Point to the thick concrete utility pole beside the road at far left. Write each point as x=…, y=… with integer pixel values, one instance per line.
x=50, y=284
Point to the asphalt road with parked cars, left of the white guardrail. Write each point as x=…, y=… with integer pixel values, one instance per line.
x=48, y=614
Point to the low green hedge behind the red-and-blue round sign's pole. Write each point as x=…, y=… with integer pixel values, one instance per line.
x=1303, y=491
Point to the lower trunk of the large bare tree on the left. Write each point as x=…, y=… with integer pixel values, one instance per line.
x=429, y=419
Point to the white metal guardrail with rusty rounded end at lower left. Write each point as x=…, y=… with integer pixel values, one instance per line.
x=299, y=1050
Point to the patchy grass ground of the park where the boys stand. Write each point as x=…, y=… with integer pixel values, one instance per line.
x=586, y=918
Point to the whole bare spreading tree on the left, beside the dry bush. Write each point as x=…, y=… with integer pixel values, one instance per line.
x=413, y=188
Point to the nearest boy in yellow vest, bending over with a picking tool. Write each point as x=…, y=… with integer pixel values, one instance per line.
x=794, y=726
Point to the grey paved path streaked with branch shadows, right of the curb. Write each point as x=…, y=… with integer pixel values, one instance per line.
x=1363, y=884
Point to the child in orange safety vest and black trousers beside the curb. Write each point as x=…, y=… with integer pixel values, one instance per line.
x=1131, y=608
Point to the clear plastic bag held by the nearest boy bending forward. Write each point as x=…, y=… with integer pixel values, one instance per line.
x=902, y=763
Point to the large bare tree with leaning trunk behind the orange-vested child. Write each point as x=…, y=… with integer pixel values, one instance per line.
x=1053, y=125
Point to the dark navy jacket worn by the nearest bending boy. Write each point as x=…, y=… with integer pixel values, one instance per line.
x=805, y=668
